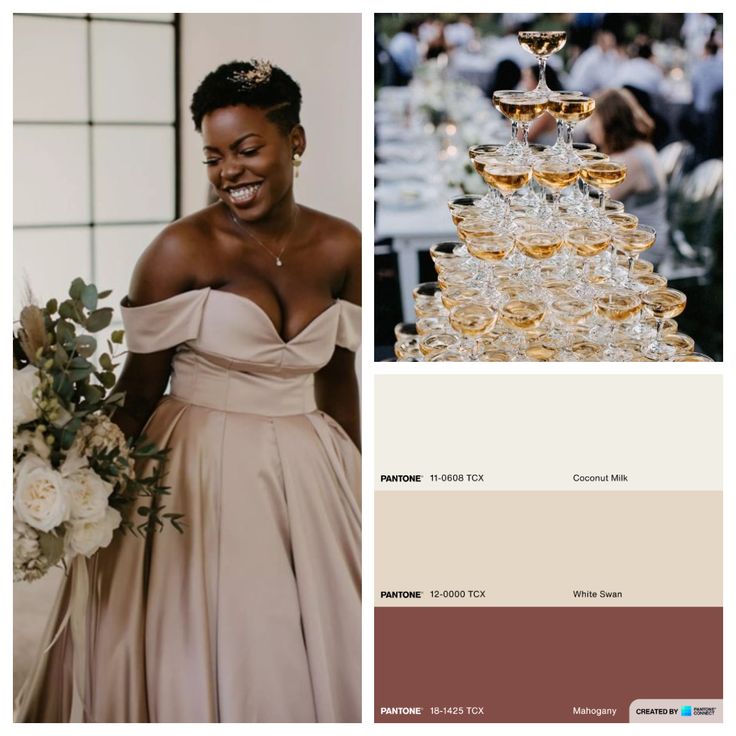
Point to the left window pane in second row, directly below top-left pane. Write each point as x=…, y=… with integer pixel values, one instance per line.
x=51, y=174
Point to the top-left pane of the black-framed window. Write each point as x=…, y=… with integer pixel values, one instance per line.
x=50, y=69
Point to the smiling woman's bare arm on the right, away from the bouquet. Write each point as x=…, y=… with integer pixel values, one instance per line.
x=336, y=385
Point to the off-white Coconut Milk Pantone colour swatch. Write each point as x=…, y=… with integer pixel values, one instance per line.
x=536, y=433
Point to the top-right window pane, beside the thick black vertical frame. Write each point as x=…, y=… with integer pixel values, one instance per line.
x=136, y=87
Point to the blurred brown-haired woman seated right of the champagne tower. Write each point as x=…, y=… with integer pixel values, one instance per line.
x=621, y=128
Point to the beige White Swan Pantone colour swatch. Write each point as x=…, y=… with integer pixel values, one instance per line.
x=537, y=548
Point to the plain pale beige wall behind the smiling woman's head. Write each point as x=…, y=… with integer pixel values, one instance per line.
x=322, y=53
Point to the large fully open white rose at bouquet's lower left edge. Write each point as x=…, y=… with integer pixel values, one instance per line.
x=40, y=497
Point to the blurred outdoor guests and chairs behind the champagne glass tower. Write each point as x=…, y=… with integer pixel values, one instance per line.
x=658, y=84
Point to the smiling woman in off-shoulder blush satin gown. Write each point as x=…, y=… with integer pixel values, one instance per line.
x=249, y=306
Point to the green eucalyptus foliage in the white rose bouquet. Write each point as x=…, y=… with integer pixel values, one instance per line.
x=73, y=388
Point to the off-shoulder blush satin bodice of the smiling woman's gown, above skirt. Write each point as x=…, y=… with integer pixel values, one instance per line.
x=229, y=355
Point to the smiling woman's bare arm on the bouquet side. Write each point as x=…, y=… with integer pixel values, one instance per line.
x=164, y=270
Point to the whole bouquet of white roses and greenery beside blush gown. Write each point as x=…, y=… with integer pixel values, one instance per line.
x=74, y=477
